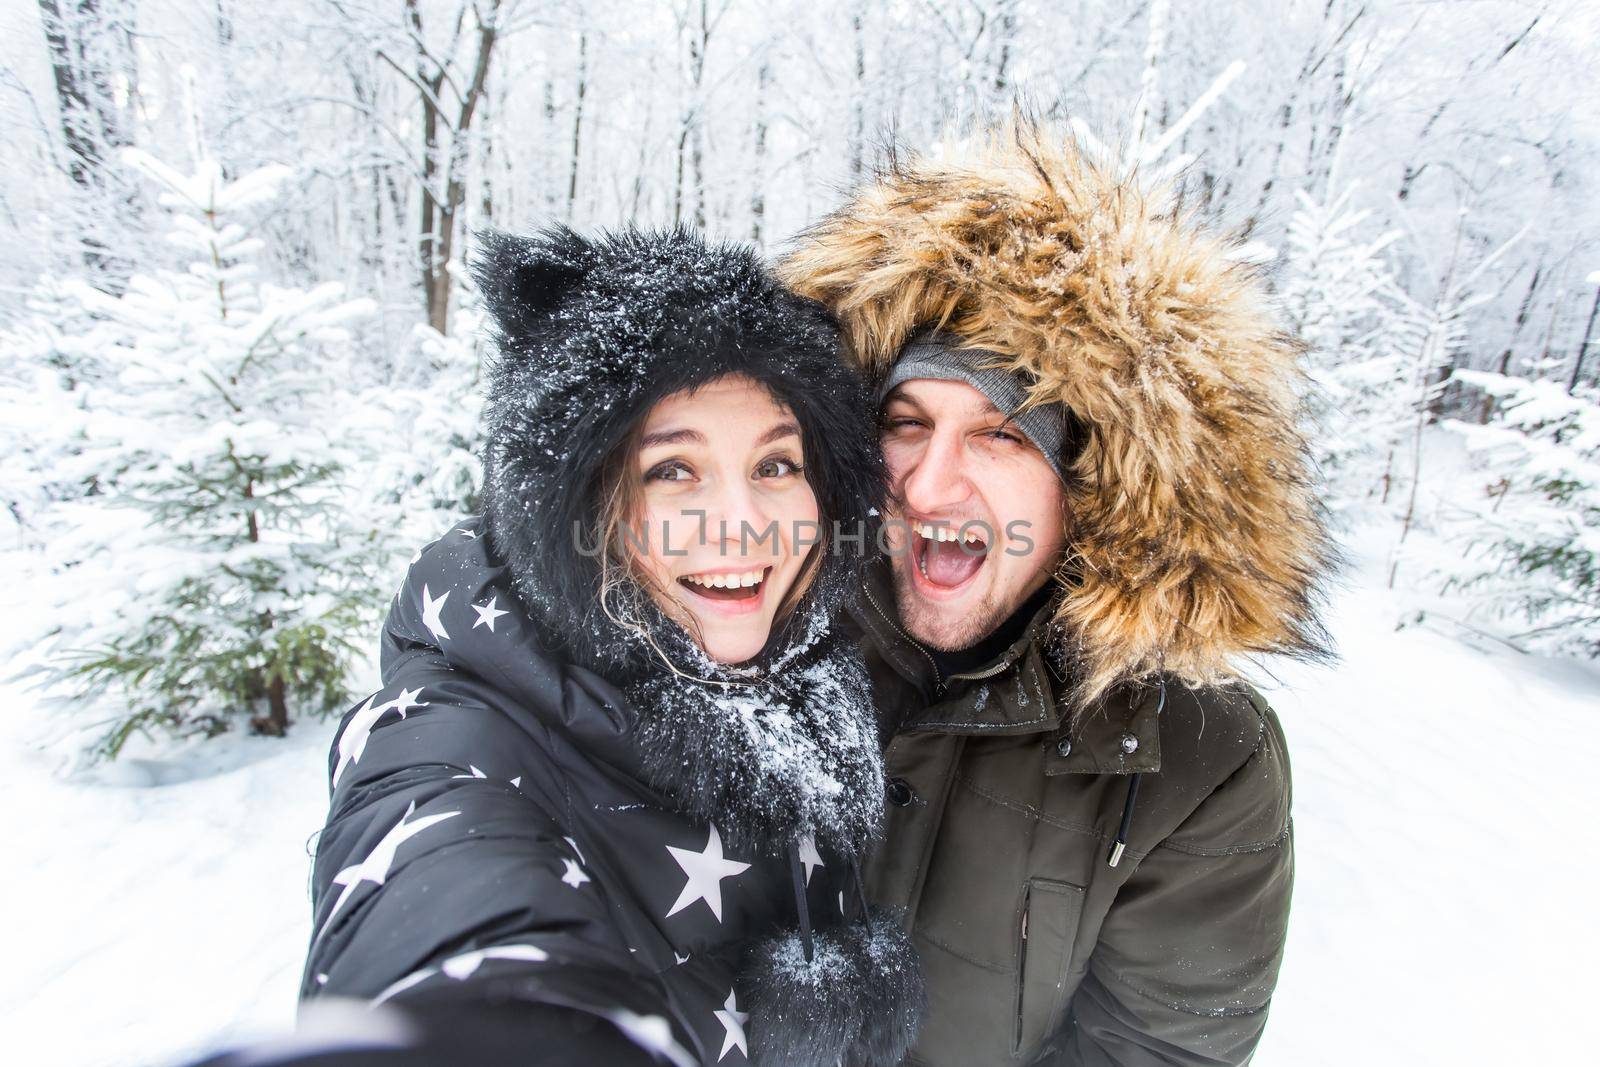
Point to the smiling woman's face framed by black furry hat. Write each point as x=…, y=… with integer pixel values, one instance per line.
x=729, y=514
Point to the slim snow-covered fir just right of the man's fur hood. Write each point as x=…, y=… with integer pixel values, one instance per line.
x=1342, y=300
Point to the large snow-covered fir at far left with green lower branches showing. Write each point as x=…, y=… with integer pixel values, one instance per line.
x=217, y=573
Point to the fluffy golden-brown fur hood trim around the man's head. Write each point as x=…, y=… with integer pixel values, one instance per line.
x=1193, y=522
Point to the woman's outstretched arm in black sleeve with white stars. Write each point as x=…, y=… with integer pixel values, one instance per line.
x=442, y=889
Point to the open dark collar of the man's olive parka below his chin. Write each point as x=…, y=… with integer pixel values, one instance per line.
x=1020, y=692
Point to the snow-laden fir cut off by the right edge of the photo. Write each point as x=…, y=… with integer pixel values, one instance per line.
x=1532, y=538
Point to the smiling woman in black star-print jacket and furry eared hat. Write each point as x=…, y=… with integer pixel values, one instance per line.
x=610, y=802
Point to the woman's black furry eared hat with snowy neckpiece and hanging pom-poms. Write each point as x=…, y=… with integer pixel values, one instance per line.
x=593, y=334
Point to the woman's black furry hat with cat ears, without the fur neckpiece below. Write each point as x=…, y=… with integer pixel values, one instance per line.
x=593, y=334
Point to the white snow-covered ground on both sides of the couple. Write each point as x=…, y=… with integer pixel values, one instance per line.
x=1442, y=916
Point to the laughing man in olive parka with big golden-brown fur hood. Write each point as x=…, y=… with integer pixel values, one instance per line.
x=1102, y=503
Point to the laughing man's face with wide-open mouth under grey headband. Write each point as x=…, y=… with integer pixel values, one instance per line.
x=956, y=466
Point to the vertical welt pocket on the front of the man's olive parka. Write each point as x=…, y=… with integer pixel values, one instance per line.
x=1047, y=930
